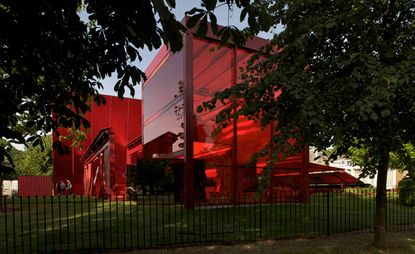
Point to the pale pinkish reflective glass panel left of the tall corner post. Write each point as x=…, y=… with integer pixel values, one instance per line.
x=163, y=110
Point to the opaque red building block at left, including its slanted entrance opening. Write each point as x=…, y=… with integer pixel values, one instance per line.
x=120, y=120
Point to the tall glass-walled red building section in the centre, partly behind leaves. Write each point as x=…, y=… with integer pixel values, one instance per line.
x=177, y=84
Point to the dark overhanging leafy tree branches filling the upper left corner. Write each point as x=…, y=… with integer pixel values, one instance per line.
x=52, y=60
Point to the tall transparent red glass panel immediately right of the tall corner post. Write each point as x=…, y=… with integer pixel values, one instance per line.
x=212, y=72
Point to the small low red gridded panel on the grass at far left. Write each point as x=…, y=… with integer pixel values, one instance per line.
x=35, y=186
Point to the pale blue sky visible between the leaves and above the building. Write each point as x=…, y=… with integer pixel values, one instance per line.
x=181, y=8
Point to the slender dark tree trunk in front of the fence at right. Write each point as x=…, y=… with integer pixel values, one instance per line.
x=380, y=216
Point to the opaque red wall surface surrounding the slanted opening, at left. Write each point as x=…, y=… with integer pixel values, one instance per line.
x=124, y=119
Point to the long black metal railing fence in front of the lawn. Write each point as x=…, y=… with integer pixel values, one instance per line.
x=79, y=223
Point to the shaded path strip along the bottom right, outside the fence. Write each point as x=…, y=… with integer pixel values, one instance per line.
x=398, y=242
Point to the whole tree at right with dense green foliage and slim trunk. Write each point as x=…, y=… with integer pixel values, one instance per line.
x=341, y=73
